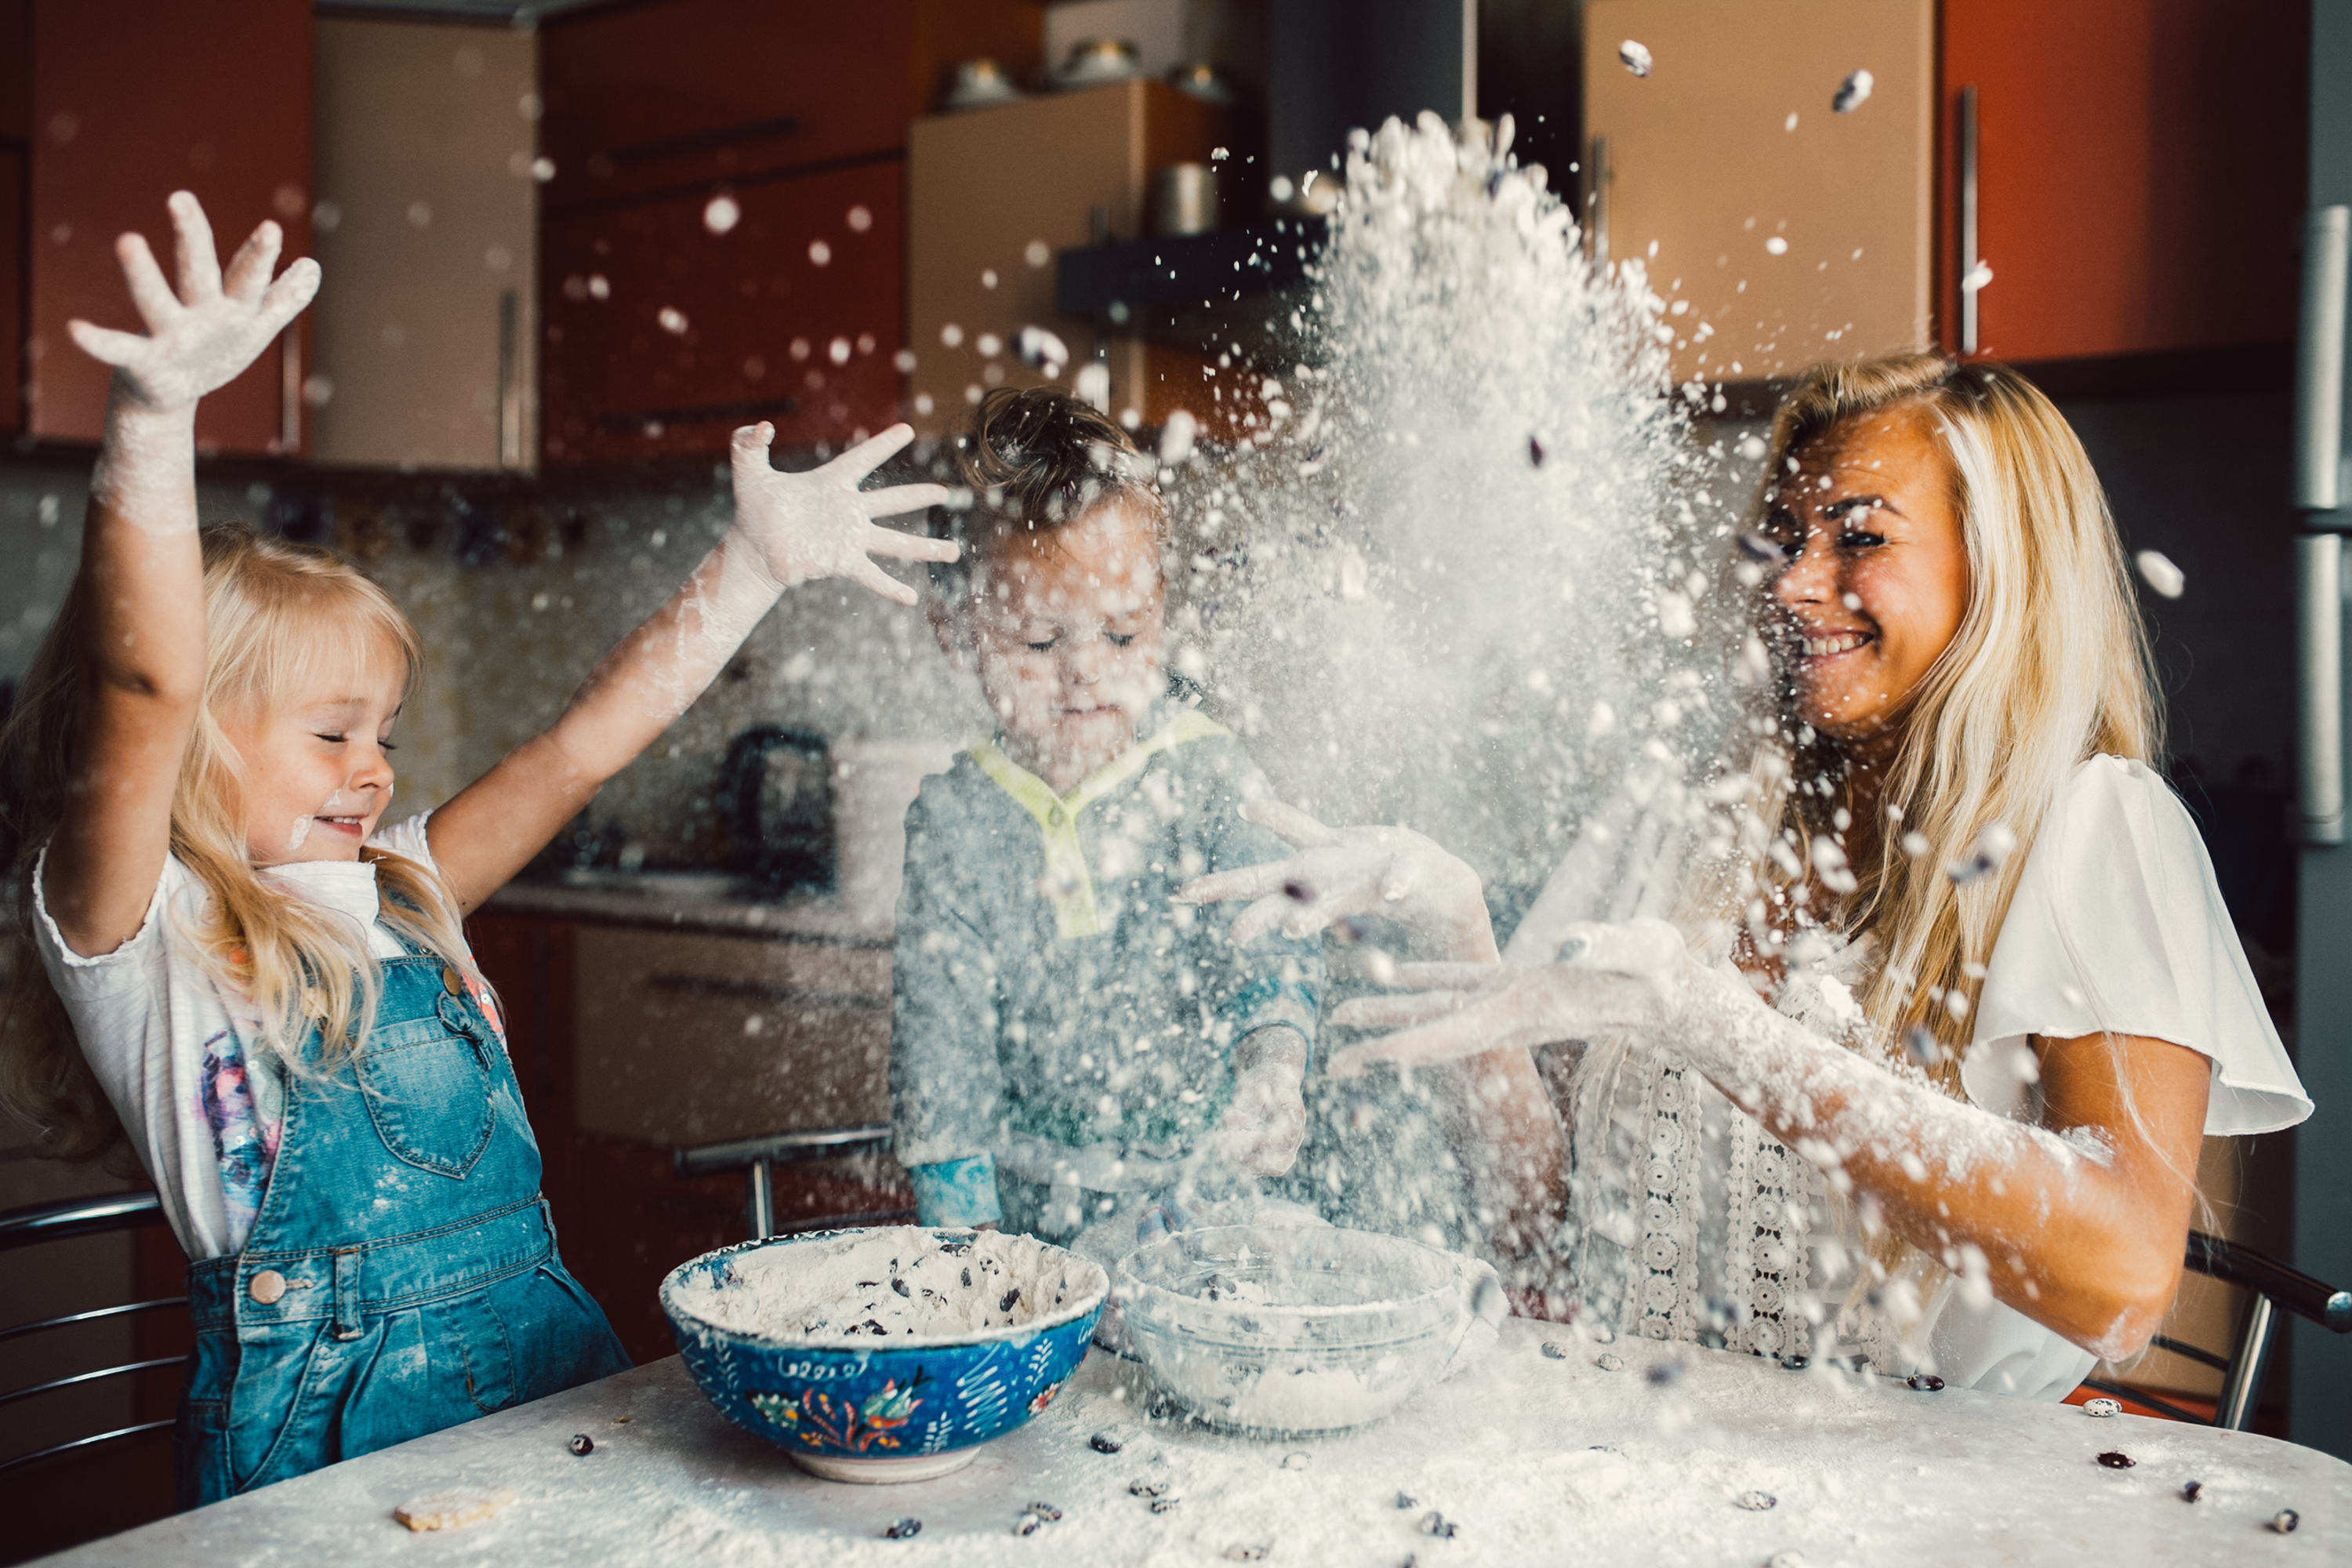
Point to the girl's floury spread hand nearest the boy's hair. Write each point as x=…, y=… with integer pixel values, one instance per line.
x=820, y=523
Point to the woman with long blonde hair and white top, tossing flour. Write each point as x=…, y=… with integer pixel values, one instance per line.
x=1925, y=1078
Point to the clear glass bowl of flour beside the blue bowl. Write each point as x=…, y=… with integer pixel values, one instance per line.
x=1299, y=1329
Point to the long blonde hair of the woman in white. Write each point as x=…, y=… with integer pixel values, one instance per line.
x=2050, y=666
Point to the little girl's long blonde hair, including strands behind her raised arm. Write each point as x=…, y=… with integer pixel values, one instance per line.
x=276, y=617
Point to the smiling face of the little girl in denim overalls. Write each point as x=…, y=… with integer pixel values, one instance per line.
x=319, y=768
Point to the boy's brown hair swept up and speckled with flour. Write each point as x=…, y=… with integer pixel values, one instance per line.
x=1038, y=462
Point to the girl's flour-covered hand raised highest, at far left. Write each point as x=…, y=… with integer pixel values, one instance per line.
x=206, y=333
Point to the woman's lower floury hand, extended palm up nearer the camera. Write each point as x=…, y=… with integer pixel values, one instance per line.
x=1638, y=977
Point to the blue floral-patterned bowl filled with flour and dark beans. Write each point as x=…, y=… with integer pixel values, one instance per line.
x=862, y=1402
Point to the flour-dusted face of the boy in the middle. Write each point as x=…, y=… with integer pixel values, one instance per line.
x=1067, y=631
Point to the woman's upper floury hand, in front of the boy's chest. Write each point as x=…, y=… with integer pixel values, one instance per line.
x=1344, y=873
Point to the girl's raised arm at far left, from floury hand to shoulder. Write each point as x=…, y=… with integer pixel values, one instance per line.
x=140, y=591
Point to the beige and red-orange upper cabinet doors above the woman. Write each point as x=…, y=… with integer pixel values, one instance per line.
x=2139, y=175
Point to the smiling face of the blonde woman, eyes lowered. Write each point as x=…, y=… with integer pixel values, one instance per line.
x=1878, y=575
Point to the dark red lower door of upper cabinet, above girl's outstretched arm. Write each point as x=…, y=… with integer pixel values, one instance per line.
x=664, y=335
